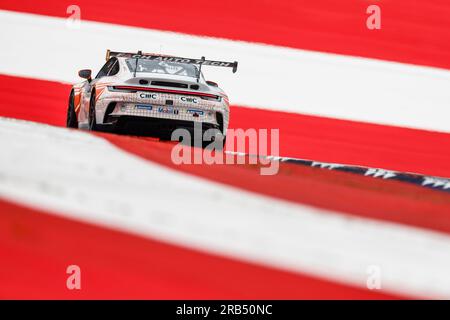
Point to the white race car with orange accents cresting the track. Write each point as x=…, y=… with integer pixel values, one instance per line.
x=147, y=94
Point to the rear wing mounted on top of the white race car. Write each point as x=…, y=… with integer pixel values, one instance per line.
x=149, y=56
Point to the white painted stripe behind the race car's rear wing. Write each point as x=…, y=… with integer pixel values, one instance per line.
x=268, y=76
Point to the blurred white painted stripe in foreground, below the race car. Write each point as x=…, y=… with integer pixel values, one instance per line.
x=82, y=176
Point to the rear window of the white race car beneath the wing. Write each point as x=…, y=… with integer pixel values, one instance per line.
x=152, y=66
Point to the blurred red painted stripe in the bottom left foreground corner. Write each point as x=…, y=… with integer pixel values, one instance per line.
x=36, y=248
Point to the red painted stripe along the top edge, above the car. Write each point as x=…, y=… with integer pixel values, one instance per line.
x=414, y=32
